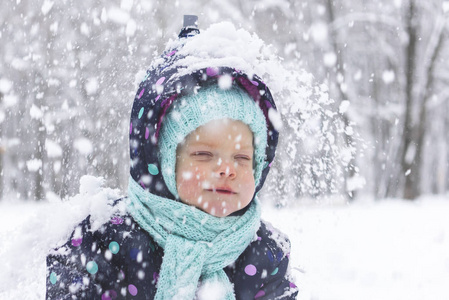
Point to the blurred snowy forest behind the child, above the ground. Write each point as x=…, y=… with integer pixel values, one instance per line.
x=71, y=68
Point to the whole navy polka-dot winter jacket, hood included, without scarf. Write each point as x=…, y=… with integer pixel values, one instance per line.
x=120, y=260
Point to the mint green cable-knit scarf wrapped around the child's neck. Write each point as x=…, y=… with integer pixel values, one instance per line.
x=197, y=246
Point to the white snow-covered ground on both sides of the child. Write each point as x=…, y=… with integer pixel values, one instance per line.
x=384, y=250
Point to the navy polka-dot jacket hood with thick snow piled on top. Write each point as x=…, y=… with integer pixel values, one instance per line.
x=220, y=55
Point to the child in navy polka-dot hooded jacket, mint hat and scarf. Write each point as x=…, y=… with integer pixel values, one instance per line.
x=201, y=145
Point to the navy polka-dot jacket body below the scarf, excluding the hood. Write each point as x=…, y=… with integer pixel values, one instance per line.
x=127, y=264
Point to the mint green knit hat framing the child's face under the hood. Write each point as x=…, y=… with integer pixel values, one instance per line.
x=210, y=103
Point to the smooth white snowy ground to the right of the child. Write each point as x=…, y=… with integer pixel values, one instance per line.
x=384, y=250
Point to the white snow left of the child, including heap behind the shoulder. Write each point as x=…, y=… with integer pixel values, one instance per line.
x=33, y=229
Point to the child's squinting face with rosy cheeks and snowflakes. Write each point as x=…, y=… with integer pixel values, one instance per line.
x=214, y=167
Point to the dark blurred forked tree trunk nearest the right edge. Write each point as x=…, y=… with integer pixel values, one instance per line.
x=420, y=67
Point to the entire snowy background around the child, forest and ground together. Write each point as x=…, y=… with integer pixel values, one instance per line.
x=361, y=178
